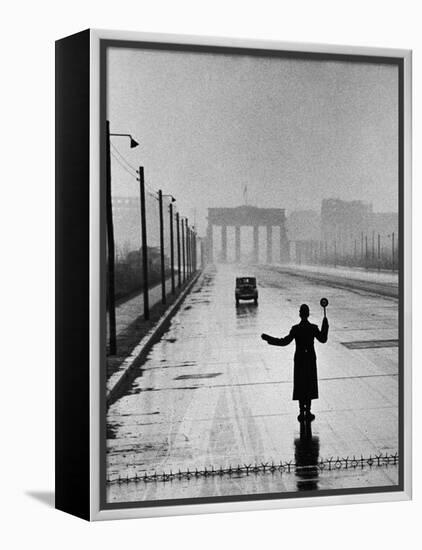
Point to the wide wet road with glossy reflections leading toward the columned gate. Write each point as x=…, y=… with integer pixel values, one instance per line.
x=213, y=393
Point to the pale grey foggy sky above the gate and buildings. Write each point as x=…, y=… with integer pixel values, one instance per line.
x=293, y=131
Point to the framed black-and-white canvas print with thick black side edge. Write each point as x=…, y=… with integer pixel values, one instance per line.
x=233, y=274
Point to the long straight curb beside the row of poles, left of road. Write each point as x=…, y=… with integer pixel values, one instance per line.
x=140, y=352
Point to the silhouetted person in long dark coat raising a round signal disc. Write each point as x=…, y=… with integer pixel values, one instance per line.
x=305, y=386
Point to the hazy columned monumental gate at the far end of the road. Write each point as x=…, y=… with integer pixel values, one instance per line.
x=251, y=216
